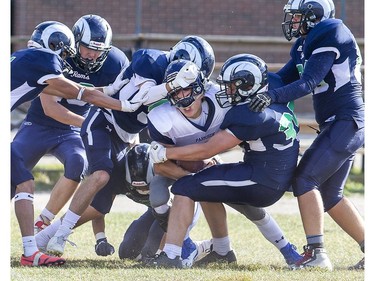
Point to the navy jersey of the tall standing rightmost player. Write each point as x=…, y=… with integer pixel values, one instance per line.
x=339, y=95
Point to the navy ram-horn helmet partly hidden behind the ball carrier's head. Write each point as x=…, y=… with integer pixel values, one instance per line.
x=197, y=50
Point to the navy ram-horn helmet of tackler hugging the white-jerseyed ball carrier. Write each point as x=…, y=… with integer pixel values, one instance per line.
x=241, y=77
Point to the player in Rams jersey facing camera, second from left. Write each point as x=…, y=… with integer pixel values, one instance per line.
x=52, y=124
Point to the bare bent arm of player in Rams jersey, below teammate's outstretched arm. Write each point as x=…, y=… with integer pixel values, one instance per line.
x=58, y=112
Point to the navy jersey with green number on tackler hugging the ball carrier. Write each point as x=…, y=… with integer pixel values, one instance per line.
x=270, y=141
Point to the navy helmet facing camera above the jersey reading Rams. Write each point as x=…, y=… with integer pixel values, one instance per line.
x=94, y=33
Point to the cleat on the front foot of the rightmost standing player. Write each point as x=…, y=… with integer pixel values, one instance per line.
x=313, y=257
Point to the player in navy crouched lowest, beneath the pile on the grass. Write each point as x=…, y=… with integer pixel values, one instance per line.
x=131, y=176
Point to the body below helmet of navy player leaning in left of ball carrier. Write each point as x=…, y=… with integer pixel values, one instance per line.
x=104, y=128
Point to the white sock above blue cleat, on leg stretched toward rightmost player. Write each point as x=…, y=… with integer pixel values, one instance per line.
x=271, y=231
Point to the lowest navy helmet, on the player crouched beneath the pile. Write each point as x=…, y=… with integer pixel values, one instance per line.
x=139, y=168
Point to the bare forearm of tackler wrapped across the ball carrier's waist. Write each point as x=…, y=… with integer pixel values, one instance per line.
x=220, y=142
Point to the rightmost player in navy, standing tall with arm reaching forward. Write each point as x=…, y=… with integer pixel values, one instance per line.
x=325, y=61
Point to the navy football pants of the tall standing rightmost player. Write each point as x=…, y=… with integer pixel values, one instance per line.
x=327, y=162
